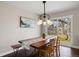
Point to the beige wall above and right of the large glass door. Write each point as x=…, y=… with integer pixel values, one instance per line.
x=75, y=23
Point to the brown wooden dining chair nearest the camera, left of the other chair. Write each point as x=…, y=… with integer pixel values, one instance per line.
x=48, y=49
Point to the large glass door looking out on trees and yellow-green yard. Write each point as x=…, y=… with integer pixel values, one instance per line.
x=61, y=26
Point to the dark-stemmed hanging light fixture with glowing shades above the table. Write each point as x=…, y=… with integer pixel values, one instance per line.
x=44, y=18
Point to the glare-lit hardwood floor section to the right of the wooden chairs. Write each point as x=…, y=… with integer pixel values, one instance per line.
x=69, y=52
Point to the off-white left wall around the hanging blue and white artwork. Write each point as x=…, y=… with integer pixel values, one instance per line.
x=10, y=32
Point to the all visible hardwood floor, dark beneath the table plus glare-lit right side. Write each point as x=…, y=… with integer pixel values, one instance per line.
x=64, y=52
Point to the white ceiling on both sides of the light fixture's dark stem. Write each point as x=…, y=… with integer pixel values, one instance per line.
x=36, y=7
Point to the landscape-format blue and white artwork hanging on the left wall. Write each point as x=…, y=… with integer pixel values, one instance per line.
x=26, y=22
